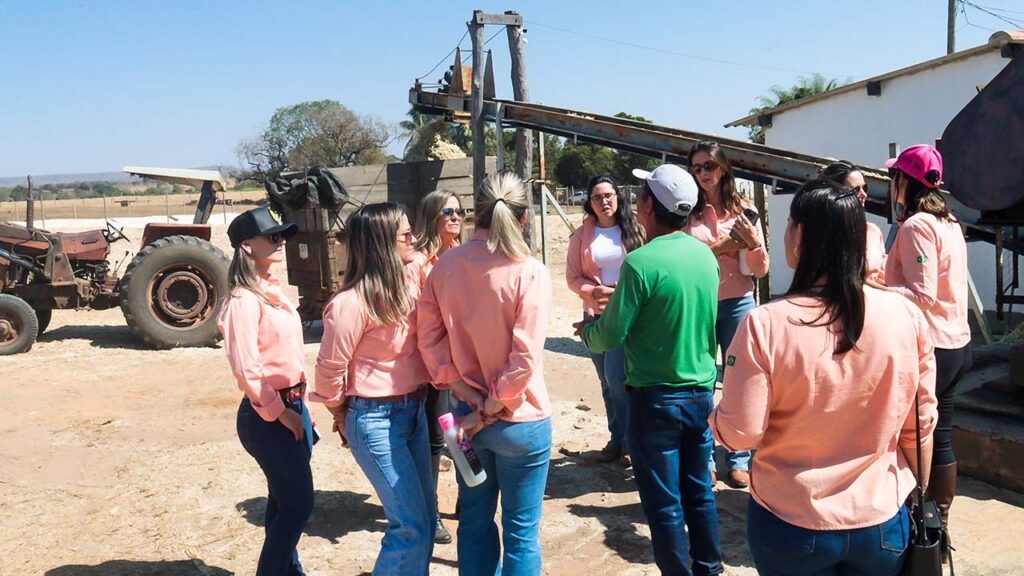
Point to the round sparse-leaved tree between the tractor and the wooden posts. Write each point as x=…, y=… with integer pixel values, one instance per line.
x=314, y=134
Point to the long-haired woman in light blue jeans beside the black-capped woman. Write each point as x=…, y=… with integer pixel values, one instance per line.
x=371, y=378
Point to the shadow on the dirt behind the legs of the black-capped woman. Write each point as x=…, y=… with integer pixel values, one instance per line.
x=335, y=514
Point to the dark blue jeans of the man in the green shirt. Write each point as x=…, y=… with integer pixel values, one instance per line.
x=671, y=443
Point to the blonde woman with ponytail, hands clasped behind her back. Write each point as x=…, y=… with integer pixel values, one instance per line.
x=483, y=321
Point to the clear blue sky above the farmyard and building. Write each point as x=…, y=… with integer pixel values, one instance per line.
x=95, y=86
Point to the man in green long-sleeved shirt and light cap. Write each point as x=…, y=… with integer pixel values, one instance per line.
x=664, y=310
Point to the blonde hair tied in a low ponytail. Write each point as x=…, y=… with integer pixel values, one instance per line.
x=502, y=204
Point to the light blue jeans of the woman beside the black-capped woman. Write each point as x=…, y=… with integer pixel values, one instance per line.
x=390, y=443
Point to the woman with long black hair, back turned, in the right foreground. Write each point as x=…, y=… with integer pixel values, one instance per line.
x=817, y=383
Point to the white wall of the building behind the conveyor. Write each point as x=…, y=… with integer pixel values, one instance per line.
x=913, y=109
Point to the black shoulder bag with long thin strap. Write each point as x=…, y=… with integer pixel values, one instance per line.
x=928, y=533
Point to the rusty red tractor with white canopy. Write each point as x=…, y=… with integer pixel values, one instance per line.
x=170, y=293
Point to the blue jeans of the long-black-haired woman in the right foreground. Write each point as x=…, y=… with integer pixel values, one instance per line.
x=784, y=550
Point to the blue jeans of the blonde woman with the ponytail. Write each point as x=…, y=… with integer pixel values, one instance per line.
x=516, y=457
